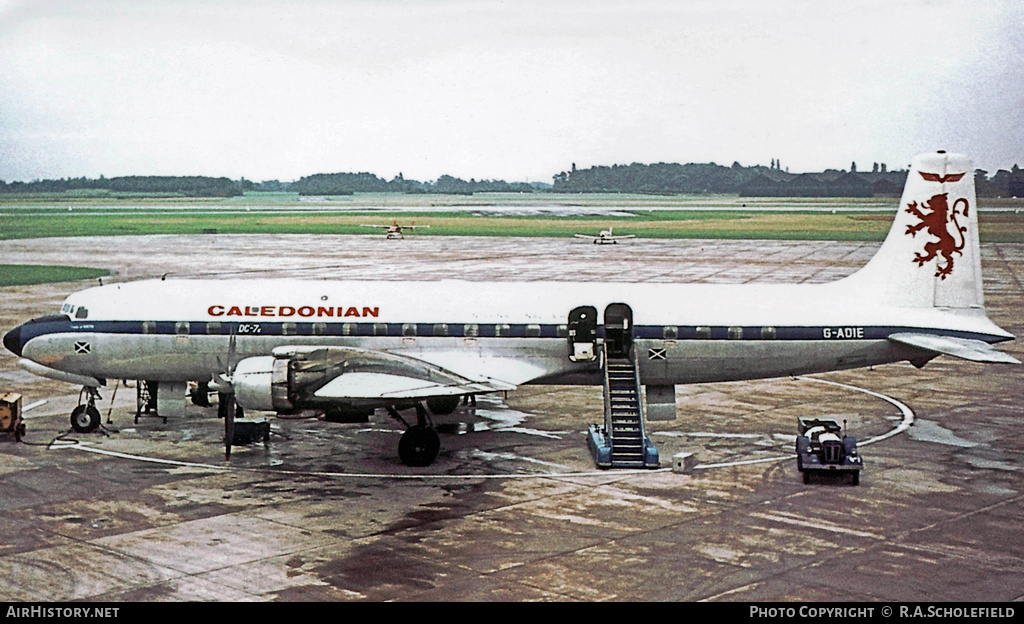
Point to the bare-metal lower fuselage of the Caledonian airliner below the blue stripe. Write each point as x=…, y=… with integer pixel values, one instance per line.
x=199, y=358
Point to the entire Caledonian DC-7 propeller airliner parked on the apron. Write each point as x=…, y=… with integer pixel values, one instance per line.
x=351, y=347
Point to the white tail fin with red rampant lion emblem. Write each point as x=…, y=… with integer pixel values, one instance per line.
x=931, y=258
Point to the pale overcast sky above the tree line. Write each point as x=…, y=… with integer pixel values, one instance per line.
x=514, y=91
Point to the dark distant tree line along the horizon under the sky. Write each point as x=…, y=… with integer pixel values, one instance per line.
x=661, y=179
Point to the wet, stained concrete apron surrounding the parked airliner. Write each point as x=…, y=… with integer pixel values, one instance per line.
x=515, y=509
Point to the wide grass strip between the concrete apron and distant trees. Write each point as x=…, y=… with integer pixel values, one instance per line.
x=539, y=215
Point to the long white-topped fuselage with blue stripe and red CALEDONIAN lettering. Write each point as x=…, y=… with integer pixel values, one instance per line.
x=181, y=330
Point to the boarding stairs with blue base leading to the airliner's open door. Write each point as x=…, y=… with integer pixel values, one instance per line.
x=622, y=442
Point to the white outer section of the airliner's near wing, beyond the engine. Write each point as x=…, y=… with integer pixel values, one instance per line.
x=383, y=386
